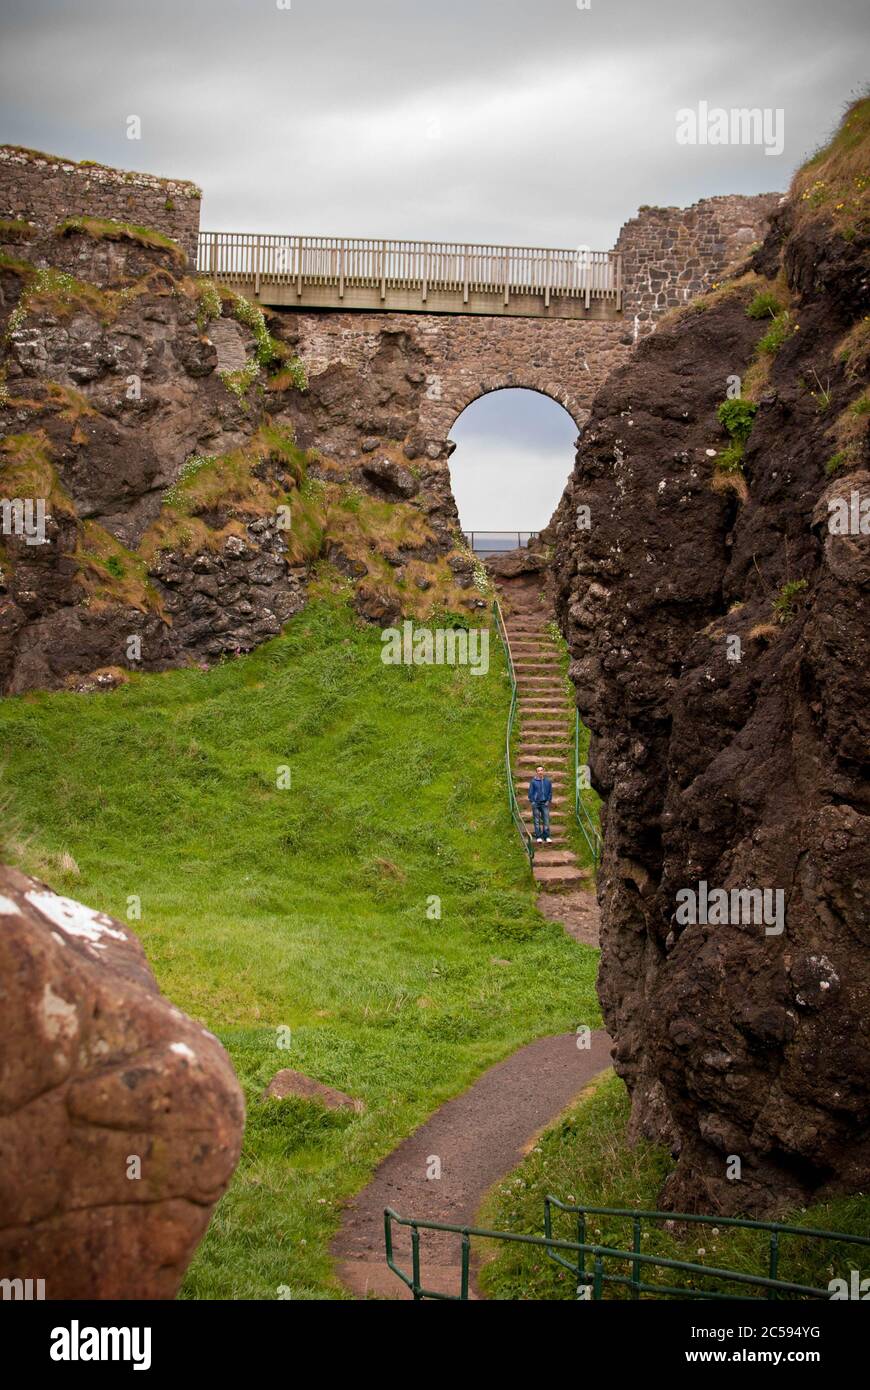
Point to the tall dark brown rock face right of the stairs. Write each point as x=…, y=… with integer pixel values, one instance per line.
x=719, y=636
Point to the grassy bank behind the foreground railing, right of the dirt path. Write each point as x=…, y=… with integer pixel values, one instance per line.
x=586, y=1159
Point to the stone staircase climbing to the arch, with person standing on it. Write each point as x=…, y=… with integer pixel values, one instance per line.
x=547, y=732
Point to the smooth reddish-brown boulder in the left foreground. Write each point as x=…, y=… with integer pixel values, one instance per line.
x=120, y=1118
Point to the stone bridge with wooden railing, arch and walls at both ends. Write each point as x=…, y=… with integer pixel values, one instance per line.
x=472, y=319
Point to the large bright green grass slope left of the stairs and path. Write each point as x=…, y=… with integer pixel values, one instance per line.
x=306, y=908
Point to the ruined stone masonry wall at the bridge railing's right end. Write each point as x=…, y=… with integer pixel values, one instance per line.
x=673, y=254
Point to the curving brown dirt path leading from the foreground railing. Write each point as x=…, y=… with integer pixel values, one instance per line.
x=479, y=1138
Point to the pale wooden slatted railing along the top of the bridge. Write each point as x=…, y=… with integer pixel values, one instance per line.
x=370, y=263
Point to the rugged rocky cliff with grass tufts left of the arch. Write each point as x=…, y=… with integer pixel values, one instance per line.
x=172, y=482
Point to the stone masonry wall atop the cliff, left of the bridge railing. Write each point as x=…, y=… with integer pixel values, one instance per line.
x=45, y=190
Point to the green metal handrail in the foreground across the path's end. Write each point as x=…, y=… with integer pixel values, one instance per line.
x=597, y=1279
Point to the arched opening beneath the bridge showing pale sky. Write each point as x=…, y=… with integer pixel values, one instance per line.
x=515, y=452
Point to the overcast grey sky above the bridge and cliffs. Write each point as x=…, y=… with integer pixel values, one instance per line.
x=519, y=122
